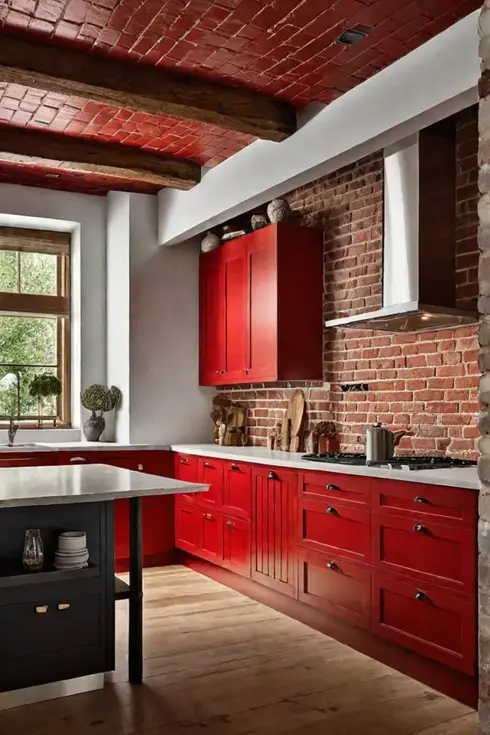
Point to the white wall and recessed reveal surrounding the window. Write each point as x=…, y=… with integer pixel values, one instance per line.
x=85, y=217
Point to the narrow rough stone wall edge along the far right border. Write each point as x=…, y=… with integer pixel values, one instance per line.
x=484, y=363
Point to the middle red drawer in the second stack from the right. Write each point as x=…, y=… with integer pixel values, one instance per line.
x=335, y=528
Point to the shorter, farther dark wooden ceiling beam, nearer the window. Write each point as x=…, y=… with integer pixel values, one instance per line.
x=28, y=146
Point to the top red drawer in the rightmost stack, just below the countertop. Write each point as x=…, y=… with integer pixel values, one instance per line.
x=448, y=505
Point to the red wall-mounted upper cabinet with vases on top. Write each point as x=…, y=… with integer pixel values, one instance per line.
x=257, y=294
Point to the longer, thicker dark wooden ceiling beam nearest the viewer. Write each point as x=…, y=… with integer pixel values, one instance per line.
x=143, y=88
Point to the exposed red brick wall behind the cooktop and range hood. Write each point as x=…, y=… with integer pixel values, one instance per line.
x=427, y=382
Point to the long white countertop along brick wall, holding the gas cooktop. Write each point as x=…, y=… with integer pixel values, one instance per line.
x=465, y=477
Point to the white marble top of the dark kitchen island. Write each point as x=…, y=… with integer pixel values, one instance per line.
x=27, y=486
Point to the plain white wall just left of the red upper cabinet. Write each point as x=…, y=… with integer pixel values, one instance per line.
x=167, y=404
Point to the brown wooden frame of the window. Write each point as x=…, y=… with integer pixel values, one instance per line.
x=59, y=305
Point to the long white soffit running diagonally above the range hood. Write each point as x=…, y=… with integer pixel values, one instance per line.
x=432, y=82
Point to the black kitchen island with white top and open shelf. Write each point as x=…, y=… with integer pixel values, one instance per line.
x=59, y=625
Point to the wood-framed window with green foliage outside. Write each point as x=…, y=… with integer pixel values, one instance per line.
x=34, y=323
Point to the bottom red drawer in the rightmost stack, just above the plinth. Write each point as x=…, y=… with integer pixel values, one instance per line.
x=429, y=620
